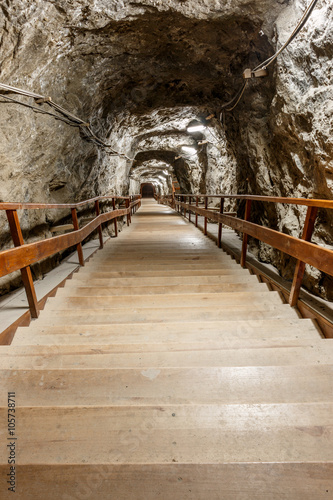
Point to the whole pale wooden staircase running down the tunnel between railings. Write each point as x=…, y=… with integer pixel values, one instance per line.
x=164, y=370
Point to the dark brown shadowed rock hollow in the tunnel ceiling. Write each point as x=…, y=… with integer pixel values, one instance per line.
x=168, y=59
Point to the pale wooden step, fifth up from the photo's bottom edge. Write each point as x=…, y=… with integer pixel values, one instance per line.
x=221, y=333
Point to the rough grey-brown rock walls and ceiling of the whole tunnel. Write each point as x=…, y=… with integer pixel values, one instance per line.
x=139, y=72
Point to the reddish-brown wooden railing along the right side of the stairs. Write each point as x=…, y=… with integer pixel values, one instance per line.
x=301, y=248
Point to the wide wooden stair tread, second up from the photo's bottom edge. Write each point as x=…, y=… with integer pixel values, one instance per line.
x=202, y=433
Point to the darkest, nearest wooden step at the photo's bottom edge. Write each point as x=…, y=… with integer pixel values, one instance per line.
x=173, y=481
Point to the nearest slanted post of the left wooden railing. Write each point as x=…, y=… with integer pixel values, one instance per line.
x=15, y=229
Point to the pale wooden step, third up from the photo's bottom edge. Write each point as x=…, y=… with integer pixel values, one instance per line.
x=156, y=385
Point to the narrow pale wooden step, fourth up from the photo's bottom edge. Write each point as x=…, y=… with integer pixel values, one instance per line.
x=65, y=357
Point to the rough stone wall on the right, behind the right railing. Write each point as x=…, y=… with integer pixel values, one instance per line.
x=285, y=128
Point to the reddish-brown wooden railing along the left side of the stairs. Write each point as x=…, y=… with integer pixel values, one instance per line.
x=24, y=255
